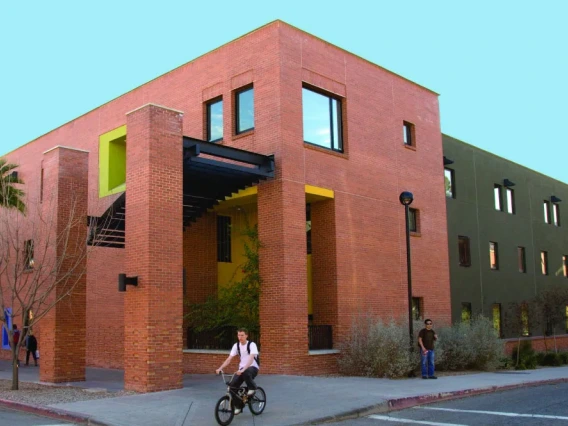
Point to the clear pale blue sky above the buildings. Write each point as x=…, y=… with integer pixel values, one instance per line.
x=500, y=67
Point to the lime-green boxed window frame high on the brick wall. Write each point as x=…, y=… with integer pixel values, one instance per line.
x=112, y=162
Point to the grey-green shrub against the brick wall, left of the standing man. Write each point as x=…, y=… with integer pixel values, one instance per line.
x=376, y=349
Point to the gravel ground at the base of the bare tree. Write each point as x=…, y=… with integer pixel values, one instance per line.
x=36, y=394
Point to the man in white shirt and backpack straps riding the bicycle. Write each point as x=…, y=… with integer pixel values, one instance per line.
x=248, y=366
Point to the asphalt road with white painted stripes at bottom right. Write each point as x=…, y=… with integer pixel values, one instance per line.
x=531, y=406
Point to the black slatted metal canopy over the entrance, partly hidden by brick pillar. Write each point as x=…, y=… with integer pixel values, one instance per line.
x=211, y=173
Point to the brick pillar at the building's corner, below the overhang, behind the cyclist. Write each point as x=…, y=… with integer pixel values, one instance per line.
x=284, y=295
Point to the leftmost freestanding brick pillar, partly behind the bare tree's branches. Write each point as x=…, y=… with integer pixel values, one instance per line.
x=65, y=199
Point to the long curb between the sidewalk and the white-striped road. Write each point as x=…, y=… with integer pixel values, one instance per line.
x=413, y=401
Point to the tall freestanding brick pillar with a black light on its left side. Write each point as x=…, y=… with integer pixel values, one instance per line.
x=154, y=244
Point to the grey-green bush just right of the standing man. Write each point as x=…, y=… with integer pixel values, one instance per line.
x=472, y=345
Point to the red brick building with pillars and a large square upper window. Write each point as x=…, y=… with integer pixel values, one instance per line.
x=332, y=130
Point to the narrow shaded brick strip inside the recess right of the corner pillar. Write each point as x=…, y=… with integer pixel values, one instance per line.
x=324, y=264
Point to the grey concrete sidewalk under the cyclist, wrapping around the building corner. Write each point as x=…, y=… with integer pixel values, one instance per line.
x=291, y=400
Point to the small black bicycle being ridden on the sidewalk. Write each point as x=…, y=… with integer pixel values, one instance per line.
x=225, y=410
